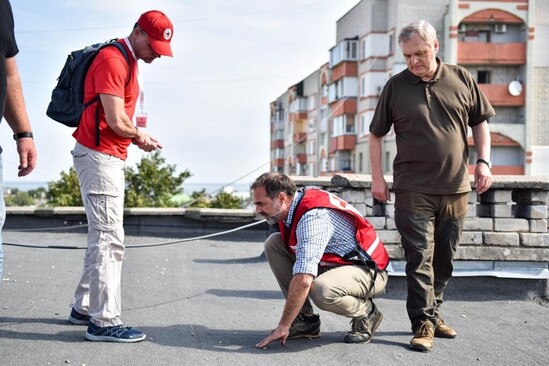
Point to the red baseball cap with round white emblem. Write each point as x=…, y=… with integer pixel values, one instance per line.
x=159, y=29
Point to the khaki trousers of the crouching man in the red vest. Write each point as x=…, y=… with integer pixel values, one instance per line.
x=344, y=290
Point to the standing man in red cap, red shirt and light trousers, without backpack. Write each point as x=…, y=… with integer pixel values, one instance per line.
x=106, y=130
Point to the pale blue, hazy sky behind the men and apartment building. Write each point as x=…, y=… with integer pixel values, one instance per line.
x=209, y=104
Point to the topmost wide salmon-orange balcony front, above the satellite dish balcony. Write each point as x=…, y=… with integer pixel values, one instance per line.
x=475, y=53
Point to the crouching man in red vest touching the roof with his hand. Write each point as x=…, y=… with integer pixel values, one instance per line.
x=325, y=252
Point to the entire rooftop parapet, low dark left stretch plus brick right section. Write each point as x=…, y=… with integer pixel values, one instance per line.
x=508, y=223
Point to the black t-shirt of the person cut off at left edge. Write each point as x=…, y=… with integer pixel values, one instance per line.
x=8, y=47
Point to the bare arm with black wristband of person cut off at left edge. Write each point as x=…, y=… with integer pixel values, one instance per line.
x=17, y=118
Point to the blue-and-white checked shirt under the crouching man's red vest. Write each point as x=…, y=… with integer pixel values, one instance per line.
x=320, y=230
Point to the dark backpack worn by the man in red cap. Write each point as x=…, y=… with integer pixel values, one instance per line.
x=67, y=98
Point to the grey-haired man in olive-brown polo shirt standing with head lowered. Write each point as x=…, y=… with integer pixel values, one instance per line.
x=430, y=105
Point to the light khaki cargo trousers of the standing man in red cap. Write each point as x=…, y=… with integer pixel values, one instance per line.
x=101, y=179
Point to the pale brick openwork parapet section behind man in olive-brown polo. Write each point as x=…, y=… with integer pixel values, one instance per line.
x=507, y=223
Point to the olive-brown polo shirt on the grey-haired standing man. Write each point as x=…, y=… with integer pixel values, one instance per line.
x=430, y=121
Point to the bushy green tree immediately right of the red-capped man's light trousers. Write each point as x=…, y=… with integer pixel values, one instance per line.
x=154, y=183
